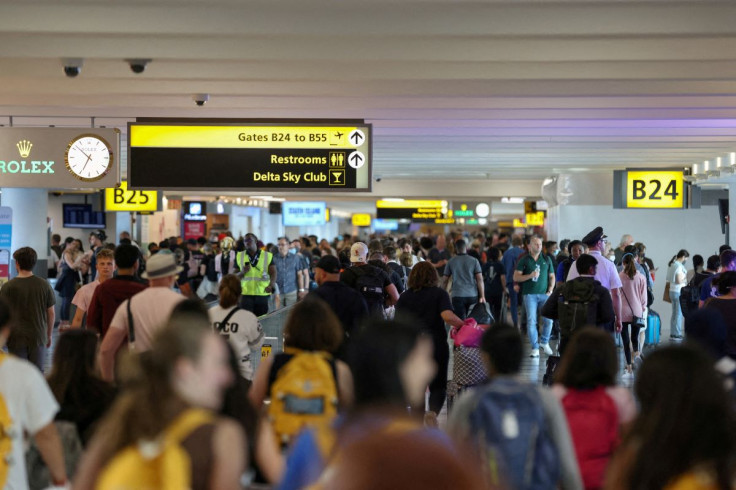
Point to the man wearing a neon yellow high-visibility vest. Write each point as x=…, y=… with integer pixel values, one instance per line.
x=257, y=274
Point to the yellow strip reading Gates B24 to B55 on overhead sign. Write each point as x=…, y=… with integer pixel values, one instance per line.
x=181, y=136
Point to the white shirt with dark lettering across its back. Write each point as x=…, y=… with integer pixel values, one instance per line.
x=243, y=332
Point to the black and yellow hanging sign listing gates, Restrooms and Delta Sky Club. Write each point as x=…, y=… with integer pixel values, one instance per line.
x=330, y=156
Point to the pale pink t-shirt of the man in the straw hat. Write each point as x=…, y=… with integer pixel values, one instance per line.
x=151, y=310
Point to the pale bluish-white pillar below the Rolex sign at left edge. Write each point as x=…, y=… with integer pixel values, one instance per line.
x=30, y=227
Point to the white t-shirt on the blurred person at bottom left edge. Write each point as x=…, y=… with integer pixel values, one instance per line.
x=31, y=407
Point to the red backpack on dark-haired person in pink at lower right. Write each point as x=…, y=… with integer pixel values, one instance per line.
x=593, y=421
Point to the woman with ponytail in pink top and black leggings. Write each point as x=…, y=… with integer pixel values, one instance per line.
x=633, y=306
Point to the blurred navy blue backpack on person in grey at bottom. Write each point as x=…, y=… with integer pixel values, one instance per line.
x=513, y=436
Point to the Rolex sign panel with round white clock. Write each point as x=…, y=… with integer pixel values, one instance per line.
x=59, y=158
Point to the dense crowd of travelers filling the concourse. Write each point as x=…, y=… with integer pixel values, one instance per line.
x=158, y=378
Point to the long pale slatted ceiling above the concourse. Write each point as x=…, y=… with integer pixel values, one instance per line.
x=455, y=90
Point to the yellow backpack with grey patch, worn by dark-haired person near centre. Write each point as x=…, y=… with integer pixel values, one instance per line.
x=303, y=393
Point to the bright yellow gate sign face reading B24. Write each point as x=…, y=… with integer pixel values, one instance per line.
x=654, y=189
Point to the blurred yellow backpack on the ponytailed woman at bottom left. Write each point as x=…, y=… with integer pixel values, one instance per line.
x=162, y=464
